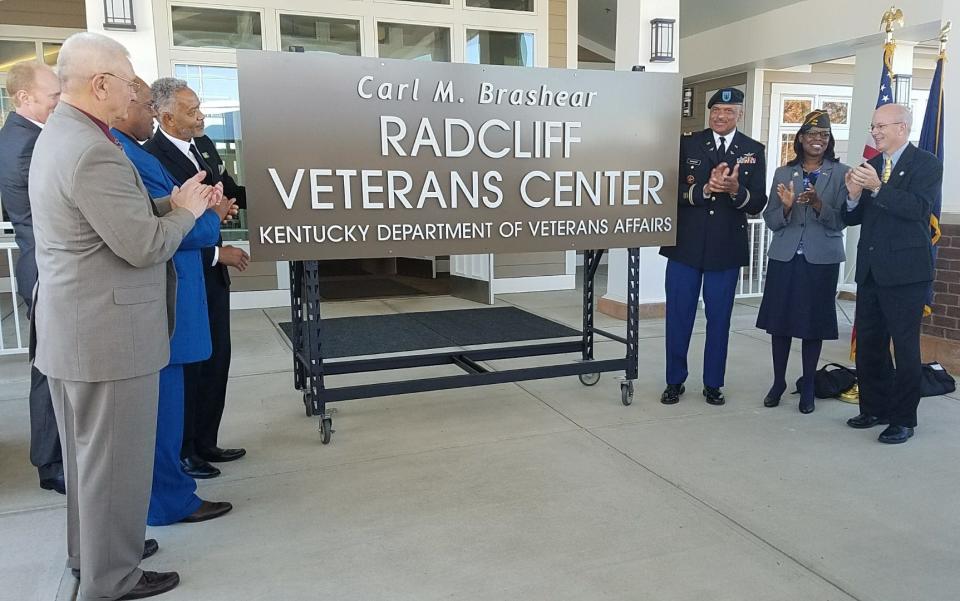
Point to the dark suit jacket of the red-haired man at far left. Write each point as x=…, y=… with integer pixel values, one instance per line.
x=17, y=138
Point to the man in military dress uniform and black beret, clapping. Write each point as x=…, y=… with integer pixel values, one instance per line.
x=722, y=179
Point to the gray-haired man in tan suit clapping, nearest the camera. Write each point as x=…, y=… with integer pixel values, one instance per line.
x=104, y=313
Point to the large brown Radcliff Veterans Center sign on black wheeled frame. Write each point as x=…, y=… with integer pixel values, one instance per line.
x=349, y=157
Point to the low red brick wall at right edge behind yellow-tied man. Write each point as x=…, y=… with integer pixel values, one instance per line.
x=945, y=321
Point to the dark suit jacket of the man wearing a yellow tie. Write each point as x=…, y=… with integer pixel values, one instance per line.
x=895, y=235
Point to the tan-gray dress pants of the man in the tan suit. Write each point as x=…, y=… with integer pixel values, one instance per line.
x=108, y=431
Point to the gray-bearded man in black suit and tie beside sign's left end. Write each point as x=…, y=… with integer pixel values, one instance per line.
x=183, y=149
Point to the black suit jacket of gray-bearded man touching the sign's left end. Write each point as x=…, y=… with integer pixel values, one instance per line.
x=182, y=169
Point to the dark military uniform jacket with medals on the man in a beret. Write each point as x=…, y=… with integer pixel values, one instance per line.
x=712, y=232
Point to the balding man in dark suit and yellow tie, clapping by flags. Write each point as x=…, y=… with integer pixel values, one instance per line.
x=891, y=197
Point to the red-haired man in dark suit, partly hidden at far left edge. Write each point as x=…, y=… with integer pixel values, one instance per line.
x=35, y=90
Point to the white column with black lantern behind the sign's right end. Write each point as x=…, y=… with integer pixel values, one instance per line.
x=633, y=48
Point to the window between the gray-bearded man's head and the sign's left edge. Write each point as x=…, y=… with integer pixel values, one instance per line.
x=219, y=101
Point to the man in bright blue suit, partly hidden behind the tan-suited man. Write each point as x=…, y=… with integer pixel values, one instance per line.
x=173, y=497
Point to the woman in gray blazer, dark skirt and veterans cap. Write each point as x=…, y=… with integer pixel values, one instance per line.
x=805, y=213
